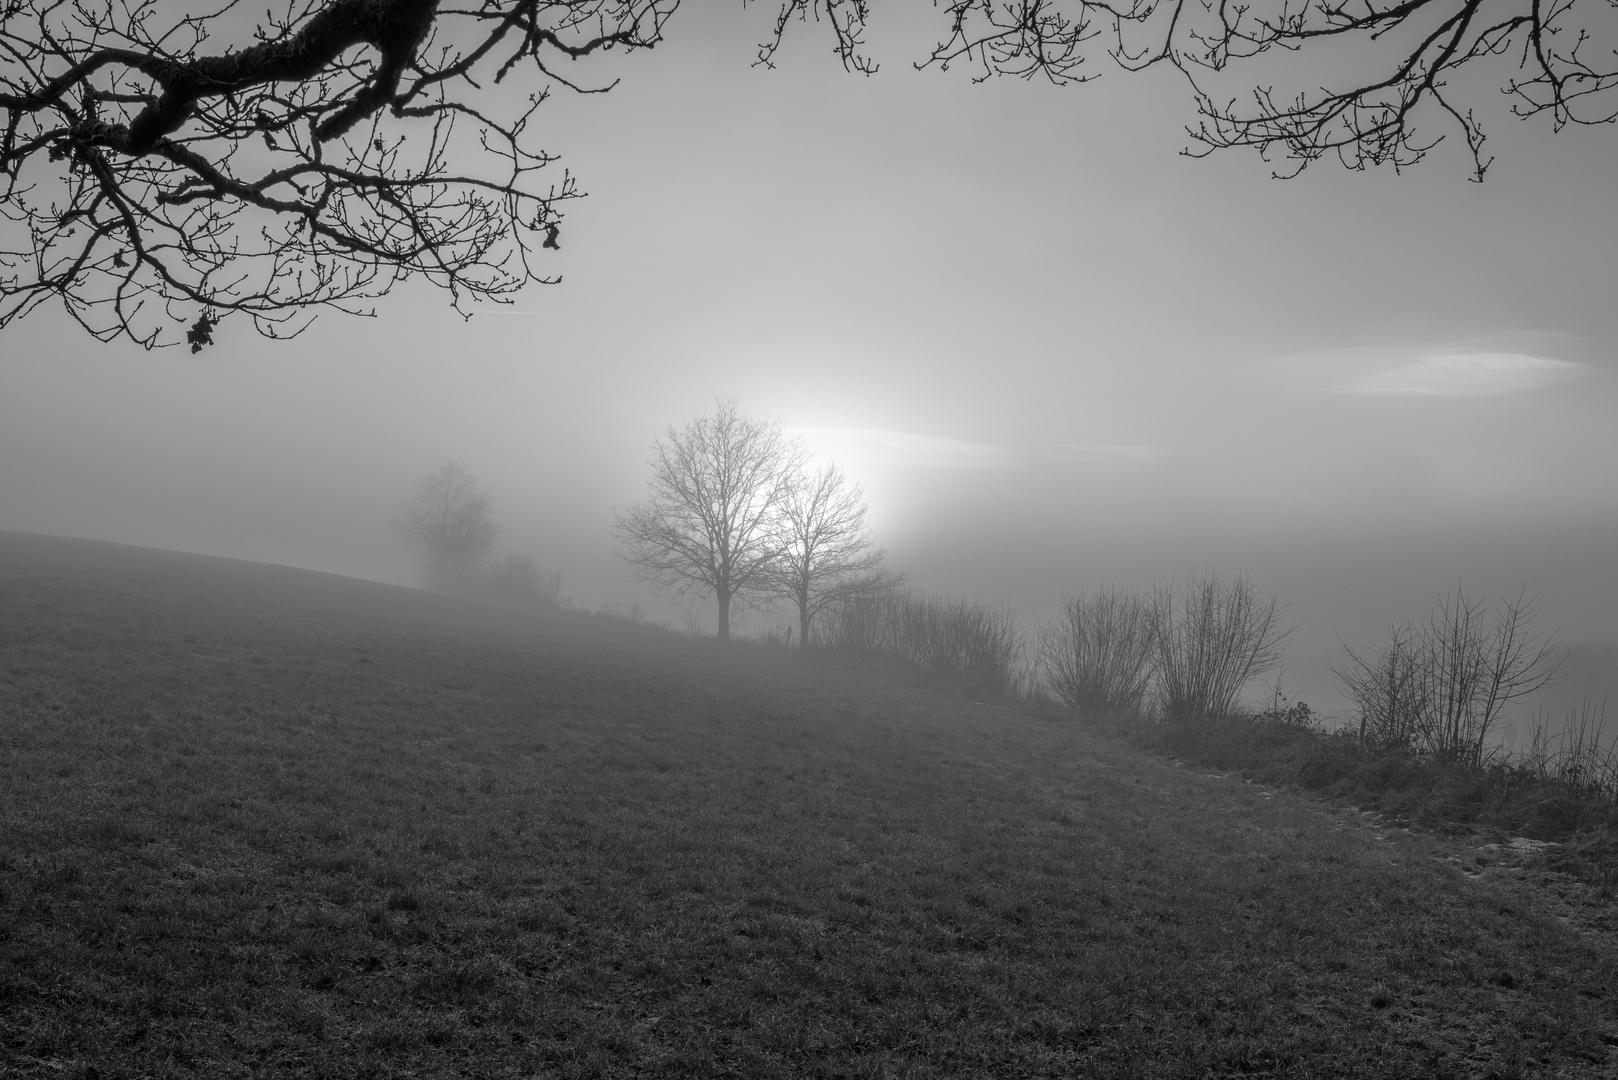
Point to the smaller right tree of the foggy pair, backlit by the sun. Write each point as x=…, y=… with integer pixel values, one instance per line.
x=829, y=555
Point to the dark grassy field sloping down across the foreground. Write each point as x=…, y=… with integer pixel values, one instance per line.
x=260, y=822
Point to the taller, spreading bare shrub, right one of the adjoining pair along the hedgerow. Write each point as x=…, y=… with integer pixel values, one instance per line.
x=1214, y=637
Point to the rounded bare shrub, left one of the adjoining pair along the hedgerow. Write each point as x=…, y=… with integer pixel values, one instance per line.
x=1101, y=655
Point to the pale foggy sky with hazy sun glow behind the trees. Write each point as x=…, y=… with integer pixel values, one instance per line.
x=1056, y=354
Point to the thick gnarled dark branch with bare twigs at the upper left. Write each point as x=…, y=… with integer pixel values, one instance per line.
x=151, y=181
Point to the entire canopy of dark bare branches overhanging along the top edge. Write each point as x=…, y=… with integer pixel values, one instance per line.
x=163, y=169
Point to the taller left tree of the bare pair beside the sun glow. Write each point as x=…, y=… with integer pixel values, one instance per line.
x=714, y=517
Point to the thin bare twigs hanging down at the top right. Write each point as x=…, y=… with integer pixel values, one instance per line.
x=1394, y=66
